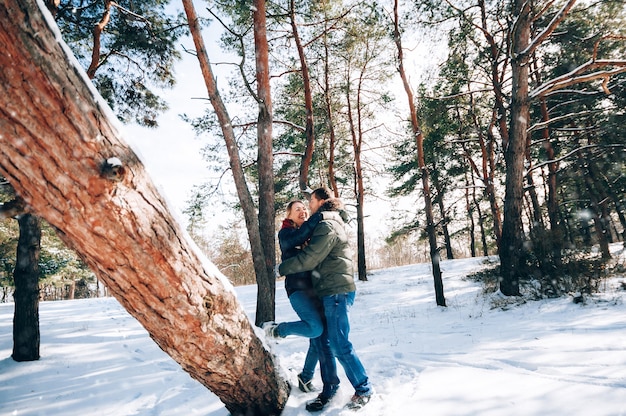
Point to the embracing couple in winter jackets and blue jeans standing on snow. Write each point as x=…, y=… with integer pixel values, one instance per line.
x=317, y=263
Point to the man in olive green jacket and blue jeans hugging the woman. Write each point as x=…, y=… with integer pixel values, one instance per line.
x=329, y=256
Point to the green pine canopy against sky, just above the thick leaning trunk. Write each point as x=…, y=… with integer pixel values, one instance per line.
x=131, y=58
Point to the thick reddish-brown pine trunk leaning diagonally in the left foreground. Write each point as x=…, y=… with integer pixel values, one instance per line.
x=61, y=150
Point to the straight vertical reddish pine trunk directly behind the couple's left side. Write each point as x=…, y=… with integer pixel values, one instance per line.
x=265, y=308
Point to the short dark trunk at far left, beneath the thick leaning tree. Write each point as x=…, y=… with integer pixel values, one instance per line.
x=26, y=276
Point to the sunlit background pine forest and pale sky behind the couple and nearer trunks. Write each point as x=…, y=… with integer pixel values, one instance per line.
x=364, y=148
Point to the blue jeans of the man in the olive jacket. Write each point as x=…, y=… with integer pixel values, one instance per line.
x=336, y=308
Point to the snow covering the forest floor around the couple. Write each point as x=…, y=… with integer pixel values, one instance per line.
x=548, y=357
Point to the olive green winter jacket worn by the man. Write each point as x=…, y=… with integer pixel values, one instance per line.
x=327, y=254
